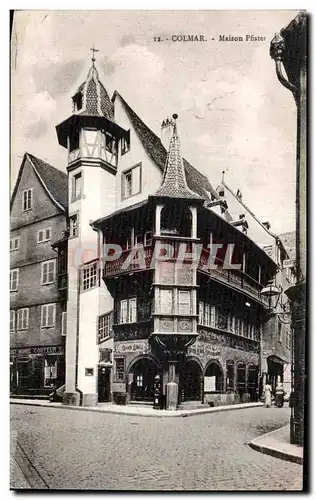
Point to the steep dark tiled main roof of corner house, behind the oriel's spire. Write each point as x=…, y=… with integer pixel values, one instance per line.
x=153, y=146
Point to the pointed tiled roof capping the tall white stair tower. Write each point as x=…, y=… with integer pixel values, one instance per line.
x=95, y=99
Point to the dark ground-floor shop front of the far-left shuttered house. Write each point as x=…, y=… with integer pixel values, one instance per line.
x=36, y=370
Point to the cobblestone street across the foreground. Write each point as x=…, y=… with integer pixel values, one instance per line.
x=87, y=450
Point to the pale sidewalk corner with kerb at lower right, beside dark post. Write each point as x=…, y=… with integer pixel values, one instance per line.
x=277, y=443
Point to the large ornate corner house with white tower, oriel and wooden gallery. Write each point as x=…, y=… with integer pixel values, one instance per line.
x=149, y=309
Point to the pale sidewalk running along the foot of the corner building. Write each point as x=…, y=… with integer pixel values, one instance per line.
x=140, y=411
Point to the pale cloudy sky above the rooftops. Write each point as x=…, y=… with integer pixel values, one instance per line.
x=234, y=115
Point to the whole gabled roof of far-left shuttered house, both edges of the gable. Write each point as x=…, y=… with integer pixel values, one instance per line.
x=54, y=181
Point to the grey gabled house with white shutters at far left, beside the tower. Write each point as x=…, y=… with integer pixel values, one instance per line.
x=38, y=217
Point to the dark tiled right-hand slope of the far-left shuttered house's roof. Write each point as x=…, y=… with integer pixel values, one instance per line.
x=55, y=181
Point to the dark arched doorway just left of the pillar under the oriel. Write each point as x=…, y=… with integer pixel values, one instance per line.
x=144, y=372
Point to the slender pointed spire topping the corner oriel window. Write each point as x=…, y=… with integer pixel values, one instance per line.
x=174, y=184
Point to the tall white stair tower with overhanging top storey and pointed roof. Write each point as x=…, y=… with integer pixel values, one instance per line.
x=92, y=139
